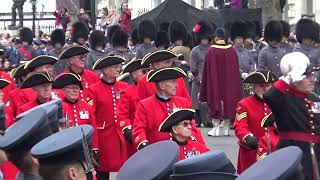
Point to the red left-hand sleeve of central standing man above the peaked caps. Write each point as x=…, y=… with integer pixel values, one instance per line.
x=140, y=126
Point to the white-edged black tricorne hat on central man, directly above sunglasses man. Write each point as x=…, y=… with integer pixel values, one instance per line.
x=165, y=74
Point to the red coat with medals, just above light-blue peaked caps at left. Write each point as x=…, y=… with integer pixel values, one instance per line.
x=81, y=113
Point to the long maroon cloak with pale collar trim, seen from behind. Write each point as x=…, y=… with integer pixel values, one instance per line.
x=221, y=81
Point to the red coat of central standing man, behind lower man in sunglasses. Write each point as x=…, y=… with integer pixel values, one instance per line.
x=151, y=112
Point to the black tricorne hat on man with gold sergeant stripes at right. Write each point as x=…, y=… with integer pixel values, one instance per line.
x=261, y=76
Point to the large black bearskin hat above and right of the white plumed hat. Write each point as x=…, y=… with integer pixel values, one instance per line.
x=306, y=28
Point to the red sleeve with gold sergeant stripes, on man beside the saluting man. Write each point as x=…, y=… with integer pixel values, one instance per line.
x=241, y=123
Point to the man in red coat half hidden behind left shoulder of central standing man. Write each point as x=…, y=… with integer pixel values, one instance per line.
x=127, y=103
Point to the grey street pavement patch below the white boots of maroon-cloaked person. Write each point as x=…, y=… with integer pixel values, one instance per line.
x=227, y=144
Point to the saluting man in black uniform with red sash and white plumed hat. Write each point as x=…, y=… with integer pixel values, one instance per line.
x=296, y=109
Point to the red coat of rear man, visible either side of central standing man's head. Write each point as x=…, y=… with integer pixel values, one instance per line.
x=146, y=89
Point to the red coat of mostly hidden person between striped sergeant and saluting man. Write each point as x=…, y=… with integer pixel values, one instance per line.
x=263, y=144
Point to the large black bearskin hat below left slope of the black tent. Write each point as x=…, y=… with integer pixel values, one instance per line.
x=146, y=29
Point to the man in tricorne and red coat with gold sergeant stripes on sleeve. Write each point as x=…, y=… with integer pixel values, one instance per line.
x=250, y=112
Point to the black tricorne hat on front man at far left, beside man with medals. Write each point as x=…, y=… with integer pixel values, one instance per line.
x=37, y=79
